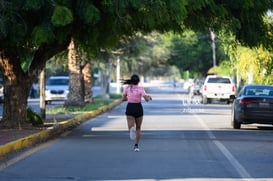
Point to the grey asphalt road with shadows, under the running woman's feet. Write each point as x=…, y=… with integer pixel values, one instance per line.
x=182, y=140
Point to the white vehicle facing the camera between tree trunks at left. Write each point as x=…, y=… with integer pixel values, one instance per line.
x=56, y=88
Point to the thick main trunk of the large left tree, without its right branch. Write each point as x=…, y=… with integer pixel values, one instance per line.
x=16, y=90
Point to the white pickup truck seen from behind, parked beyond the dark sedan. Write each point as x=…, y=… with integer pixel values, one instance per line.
x=217, y=87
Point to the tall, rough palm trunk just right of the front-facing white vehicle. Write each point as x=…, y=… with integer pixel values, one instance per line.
x=75, y=95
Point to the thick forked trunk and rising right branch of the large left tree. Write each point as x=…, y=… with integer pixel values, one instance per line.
x=18, y=81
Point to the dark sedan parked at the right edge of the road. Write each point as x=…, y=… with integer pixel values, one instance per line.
x=254, y=104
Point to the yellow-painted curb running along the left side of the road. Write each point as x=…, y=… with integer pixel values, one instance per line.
x=45, y=135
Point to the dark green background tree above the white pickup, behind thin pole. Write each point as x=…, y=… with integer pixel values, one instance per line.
x=193, y=52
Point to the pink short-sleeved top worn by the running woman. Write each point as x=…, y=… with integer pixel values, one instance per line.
x=134, y=93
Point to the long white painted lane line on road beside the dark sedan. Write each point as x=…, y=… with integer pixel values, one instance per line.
x=235, y=163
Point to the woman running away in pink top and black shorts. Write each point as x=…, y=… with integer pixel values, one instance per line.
x=134, y=110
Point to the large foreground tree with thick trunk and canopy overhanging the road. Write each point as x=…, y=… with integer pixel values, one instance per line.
x=31, y=32
